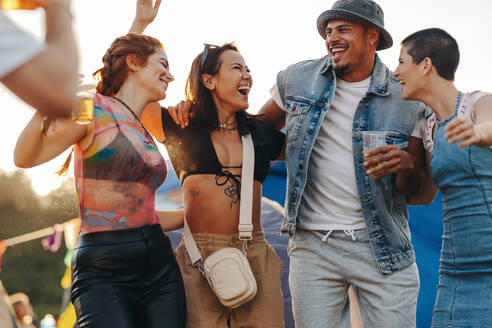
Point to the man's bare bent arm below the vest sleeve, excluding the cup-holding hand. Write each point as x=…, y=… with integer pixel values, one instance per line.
x=416, y=182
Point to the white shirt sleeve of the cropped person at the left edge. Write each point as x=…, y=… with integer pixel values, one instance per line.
x=16, y=46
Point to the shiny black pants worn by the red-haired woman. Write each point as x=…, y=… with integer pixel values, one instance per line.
x=127, y=279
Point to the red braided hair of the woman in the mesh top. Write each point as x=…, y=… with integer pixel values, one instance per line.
x=115, y=70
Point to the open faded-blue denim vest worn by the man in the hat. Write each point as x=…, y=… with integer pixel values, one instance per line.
x=307, y=90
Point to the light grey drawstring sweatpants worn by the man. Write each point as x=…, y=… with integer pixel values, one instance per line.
x=322, y=271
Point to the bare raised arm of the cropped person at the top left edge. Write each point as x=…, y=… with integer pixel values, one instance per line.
x=48, y=81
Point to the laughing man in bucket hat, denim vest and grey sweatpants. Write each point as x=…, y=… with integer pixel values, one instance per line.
x=345, y=227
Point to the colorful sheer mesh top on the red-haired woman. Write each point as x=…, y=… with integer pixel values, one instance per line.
x=117, y=175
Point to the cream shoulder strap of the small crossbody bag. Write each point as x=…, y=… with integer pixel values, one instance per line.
x=245, y=226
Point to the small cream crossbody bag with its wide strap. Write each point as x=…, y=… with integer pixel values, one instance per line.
x=227, y=270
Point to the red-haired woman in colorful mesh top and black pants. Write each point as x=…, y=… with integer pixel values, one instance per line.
x=124, y=272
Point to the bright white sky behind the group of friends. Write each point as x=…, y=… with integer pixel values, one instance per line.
x=271, y=34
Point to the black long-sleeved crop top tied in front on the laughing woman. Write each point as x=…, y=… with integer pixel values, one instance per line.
x=192, y=152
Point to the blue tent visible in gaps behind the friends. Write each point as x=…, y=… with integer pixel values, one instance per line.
x=425, y=224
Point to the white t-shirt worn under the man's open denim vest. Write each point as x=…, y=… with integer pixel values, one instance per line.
x=331, y=199
